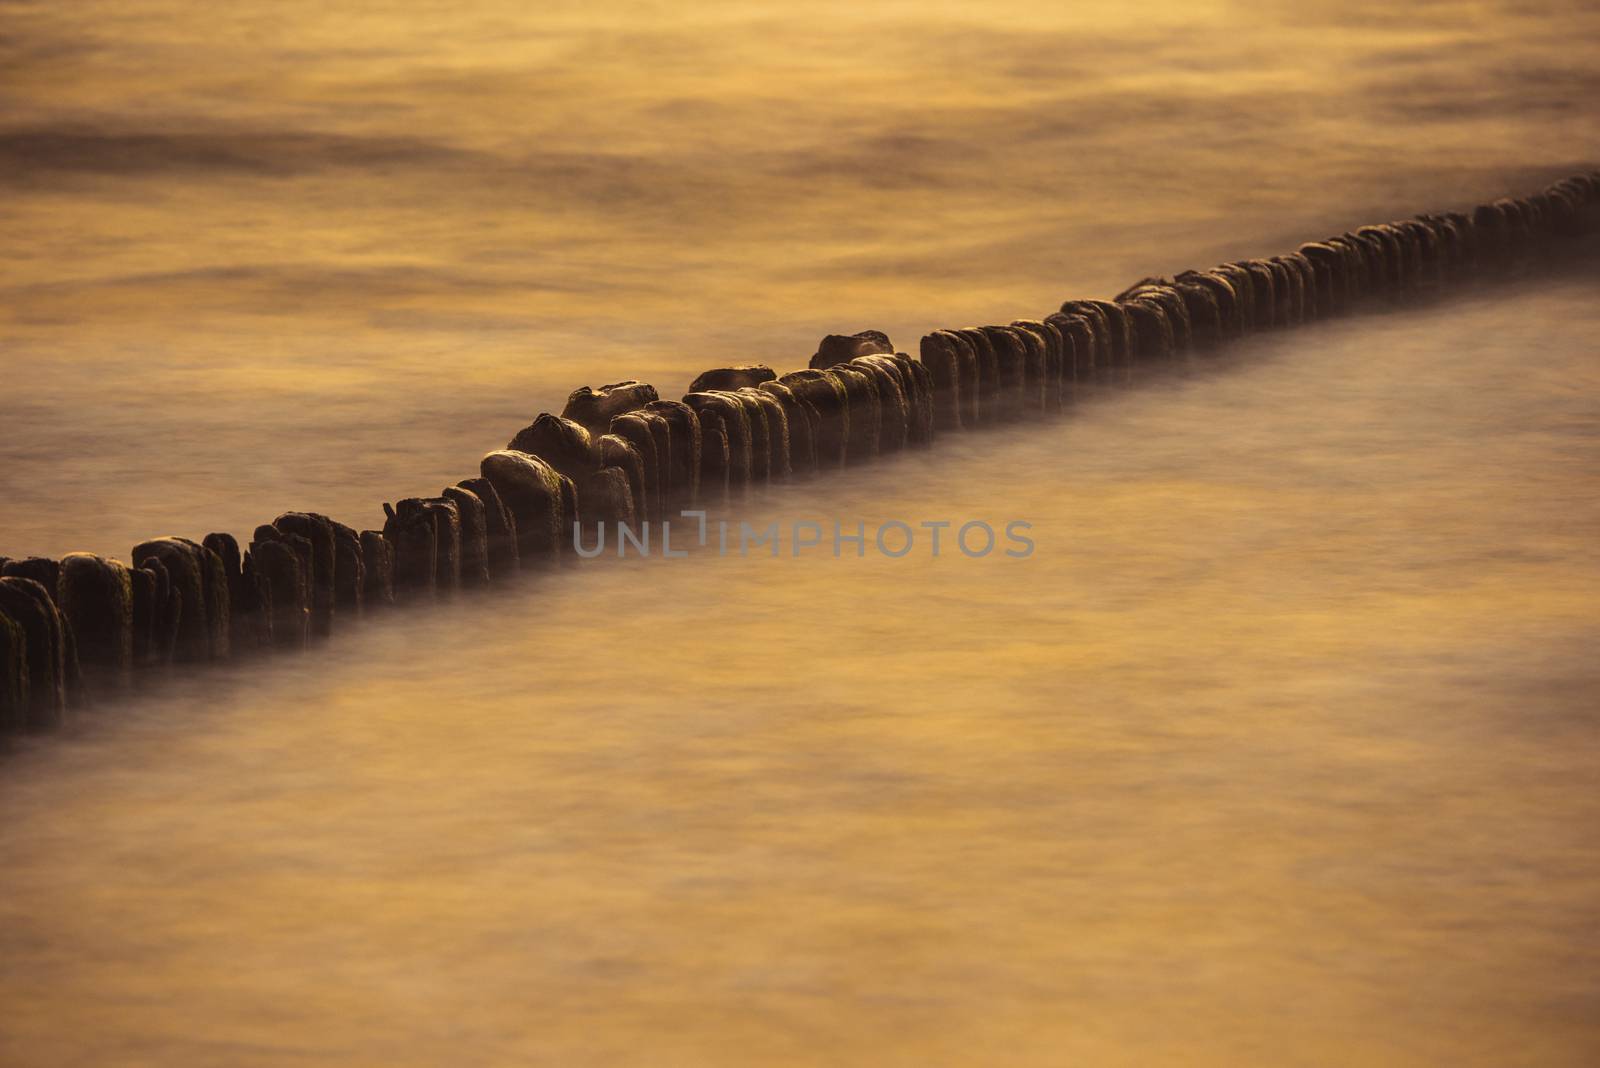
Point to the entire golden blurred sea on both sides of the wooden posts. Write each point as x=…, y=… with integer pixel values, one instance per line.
x=1279, y=751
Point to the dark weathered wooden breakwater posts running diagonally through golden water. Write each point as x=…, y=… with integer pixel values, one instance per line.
x=86, y=628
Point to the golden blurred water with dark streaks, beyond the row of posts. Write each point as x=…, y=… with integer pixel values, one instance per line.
x=318, y=257
